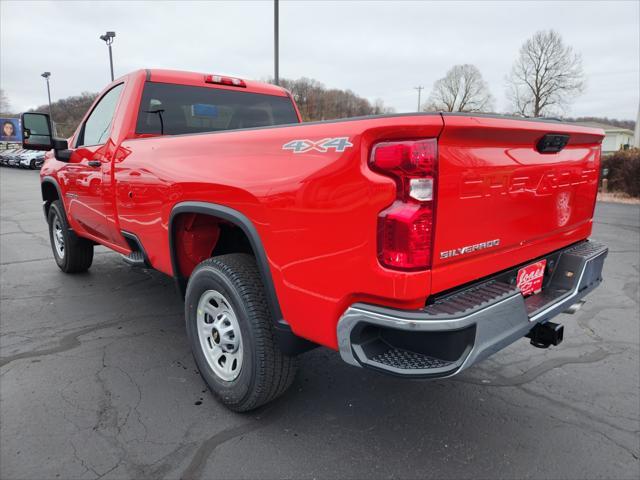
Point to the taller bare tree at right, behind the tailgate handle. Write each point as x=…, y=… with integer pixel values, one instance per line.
x=546, y=77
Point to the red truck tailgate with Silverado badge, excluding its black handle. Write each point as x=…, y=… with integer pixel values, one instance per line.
x=500, y=202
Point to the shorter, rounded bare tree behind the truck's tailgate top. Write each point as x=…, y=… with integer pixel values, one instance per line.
x=462, y=89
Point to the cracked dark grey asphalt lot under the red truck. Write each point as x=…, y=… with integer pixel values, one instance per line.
x=97, y=381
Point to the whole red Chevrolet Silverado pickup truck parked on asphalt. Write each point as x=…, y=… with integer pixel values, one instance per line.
x=414, y=244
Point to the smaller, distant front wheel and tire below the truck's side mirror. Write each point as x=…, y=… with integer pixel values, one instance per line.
x=72, y=254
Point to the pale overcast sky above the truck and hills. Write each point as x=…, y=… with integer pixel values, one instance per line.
x=378, y=49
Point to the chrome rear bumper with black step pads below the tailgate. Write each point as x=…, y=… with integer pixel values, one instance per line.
x=467, y=326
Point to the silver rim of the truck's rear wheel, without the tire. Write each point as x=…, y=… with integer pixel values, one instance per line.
x=219, y=335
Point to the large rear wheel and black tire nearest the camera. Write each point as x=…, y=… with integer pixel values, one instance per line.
x=230, y=330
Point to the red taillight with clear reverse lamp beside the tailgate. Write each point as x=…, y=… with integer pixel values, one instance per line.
x=405, y=229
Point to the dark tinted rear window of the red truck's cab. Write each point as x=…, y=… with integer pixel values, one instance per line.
x=172, y=109
